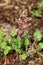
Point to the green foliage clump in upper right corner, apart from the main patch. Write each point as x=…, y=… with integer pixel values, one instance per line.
x=37, y=12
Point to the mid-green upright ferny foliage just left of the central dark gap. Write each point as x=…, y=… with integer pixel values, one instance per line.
x=17, y=44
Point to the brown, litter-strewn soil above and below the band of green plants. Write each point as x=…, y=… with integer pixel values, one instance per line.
x=15, y=14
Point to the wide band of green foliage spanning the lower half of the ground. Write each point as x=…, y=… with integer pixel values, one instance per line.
x=9, y=43
